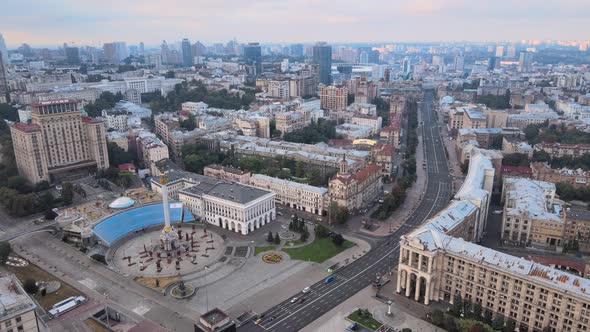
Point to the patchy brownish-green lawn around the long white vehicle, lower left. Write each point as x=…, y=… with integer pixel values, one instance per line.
x=33, y=272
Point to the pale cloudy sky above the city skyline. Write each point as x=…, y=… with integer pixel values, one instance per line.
x=93, y=22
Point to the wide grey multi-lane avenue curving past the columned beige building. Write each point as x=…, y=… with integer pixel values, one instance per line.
x=294, y=315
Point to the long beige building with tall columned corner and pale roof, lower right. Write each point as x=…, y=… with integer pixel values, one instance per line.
x=438, y=262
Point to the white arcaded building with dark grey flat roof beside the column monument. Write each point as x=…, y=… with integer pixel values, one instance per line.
x=237, y=207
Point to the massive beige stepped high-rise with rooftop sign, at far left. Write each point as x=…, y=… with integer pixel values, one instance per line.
x=59, y=144
